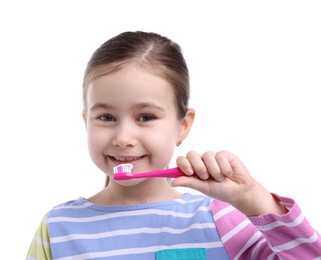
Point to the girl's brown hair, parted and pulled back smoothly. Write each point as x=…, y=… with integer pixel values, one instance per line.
x=147, y=50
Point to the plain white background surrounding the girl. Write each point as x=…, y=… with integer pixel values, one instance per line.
x=255, y=71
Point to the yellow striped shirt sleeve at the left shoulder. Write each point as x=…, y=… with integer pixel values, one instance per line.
x=40, y=246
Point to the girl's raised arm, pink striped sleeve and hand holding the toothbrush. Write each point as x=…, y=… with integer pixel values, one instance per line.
x=259, y=218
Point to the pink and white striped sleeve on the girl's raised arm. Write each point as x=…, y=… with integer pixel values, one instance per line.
x=269, y=236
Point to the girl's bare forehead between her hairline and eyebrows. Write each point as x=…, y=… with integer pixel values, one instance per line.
x=130, y=83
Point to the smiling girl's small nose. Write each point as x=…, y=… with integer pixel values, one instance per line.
x=124, y=135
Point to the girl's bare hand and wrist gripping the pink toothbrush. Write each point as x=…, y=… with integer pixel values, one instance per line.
x=223, y=176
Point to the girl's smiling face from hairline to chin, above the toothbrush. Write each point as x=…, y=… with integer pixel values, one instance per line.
x=131, y=117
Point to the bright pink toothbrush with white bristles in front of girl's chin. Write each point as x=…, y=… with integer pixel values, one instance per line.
x=123, y=172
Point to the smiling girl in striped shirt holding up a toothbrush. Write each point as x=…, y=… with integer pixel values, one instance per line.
x=135, y=94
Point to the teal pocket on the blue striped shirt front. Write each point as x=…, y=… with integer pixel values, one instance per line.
x=182, y=254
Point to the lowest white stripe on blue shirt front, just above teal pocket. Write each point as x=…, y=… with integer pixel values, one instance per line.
x=132, y=251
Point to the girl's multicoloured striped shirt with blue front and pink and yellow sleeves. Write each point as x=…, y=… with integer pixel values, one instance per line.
x=191, y=227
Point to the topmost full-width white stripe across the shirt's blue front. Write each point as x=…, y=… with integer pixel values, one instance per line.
x=127, y=213
